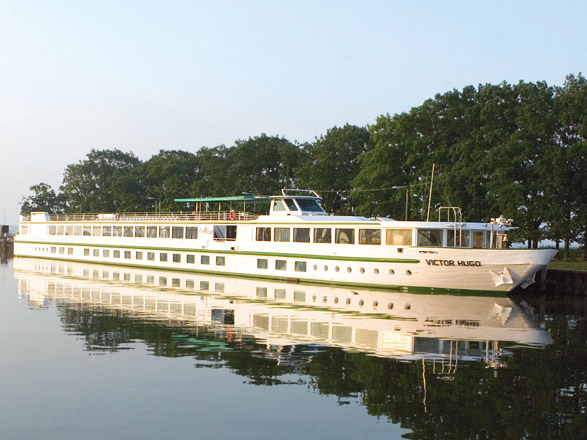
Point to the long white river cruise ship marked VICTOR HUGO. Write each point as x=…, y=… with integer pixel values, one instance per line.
x=296, y=241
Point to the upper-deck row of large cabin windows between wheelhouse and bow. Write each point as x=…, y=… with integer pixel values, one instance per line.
x=341, y=235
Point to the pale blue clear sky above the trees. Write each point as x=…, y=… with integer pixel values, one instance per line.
x=147, y=75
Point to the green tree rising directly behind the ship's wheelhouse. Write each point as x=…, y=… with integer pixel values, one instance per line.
x=333, y=162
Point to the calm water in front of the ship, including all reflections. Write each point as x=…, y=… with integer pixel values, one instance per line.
x=104, y=352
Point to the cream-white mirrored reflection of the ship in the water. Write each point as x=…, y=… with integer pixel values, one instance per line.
x=279, y=315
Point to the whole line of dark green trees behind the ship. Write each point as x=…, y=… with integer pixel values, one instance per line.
x=514, y=149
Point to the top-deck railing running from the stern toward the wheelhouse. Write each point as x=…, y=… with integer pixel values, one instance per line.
x=228, y=216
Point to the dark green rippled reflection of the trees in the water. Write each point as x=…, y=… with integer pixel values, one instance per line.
x=540, y=394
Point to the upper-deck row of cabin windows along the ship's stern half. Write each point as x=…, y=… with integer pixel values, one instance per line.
x=126, y=231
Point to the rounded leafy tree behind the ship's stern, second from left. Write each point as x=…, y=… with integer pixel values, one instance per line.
x=107, y=181
